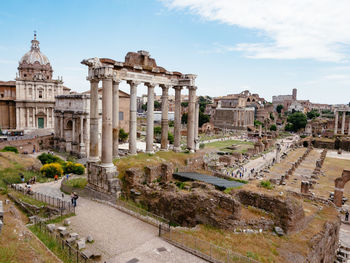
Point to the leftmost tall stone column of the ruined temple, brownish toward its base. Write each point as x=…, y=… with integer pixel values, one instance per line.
x=94, y=116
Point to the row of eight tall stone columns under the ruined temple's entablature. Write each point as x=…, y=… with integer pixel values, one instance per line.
x=110, y=118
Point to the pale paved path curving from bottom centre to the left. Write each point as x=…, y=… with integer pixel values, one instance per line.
x=119, y=237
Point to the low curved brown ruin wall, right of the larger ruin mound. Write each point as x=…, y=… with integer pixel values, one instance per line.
x=287, y=210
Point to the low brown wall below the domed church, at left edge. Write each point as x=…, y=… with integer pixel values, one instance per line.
x=40, y=143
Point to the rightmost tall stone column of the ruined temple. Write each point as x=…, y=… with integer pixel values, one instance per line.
x=191, y=117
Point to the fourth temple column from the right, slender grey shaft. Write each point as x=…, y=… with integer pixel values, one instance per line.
x=150, y=116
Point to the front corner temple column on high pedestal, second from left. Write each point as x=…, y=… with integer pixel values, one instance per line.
x=107, y=115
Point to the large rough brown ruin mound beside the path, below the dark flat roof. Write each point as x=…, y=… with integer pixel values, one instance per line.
x=188, y=208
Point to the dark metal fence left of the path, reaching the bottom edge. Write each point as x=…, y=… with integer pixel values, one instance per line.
x=69, y=252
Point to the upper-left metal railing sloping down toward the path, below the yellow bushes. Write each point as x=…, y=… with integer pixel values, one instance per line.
x=64, y=206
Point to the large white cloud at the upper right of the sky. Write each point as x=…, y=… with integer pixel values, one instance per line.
x=295, y=29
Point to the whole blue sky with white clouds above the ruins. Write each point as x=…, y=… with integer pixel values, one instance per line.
x=232, y=45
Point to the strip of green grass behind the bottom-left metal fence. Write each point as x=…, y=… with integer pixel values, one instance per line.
x=52, y=243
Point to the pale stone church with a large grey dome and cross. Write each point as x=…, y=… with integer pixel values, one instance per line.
x=36, y=91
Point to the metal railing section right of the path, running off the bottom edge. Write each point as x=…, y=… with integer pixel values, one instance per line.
x=201, y=248
